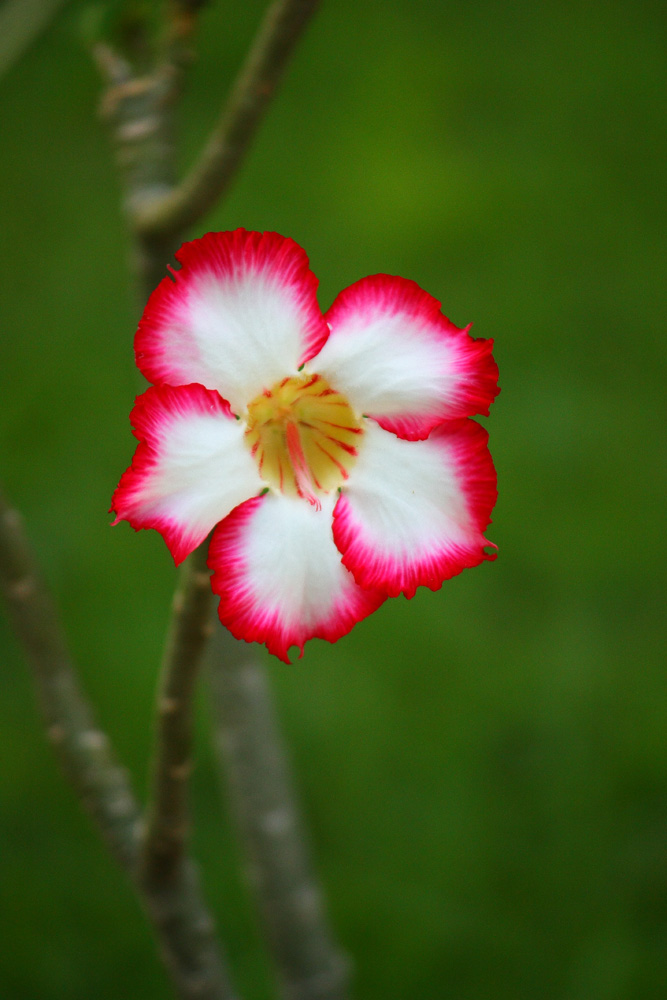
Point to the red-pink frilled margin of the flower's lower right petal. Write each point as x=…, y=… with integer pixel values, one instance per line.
x=465, y=444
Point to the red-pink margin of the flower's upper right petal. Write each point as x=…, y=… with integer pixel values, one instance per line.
x=470, y=360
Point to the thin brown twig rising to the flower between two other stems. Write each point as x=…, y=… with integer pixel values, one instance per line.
x=167, y=813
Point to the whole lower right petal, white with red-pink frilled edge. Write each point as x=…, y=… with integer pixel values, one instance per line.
x=412, y=512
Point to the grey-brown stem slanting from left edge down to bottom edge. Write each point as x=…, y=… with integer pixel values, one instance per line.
x=183, y=927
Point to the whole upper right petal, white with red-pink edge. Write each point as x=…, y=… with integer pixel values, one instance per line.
x=398, y=359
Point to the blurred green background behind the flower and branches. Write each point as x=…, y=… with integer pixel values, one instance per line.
x=484, y=768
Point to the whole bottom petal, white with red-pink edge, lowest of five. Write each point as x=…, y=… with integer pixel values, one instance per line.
x=280, y=578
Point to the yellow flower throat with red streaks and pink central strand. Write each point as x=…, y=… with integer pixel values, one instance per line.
x=303, y=436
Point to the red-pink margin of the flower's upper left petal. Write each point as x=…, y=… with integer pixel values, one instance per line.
x=227, y=255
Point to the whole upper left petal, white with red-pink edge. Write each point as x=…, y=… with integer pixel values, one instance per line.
x=240, y=314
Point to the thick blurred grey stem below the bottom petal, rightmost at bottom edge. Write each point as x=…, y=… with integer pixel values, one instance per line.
x=249, y=743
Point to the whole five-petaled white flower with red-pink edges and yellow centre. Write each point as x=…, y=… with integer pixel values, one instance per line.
x=332, y=455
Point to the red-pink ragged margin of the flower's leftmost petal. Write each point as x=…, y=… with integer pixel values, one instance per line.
x=150, y=419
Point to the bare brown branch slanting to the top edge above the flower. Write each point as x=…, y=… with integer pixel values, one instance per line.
x=171, y=215
